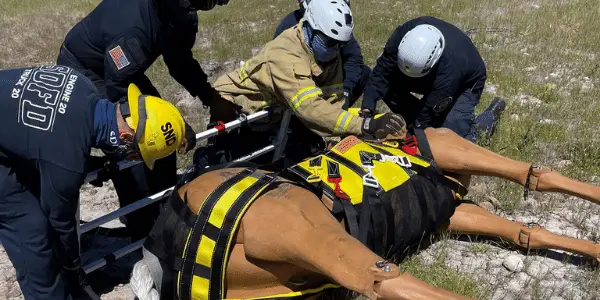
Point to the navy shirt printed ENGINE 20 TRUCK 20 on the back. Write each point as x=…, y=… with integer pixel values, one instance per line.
x=46, y=115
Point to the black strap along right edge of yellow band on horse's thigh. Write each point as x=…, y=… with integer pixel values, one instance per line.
x=217, y=274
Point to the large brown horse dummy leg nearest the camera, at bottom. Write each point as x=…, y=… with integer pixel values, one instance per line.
x=290, y=225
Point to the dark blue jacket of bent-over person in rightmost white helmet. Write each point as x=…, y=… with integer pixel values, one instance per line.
x=458, y=69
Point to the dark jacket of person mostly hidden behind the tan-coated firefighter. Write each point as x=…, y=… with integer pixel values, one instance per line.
x=351, y=54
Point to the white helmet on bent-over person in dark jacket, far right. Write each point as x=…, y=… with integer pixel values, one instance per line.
x=420, y=49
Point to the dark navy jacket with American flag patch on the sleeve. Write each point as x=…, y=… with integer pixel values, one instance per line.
x=120, y=40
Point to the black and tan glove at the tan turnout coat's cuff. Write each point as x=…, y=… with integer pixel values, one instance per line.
x=389, y=125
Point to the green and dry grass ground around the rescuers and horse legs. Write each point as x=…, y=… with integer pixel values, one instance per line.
x=522, y=43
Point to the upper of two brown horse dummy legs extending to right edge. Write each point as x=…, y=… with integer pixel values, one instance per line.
x=455, y=154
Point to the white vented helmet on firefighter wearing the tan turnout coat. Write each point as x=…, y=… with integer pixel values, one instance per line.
x=331, y=17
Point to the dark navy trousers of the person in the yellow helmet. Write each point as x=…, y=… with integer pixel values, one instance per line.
x=25, y=233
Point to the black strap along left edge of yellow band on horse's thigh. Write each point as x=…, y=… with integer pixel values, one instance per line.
x=189, y=257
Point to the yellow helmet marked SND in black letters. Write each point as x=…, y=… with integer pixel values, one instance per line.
x=158, y=125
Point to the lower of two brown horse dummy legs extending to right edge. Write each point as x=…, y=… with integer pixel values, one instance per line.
x=472, y=219
